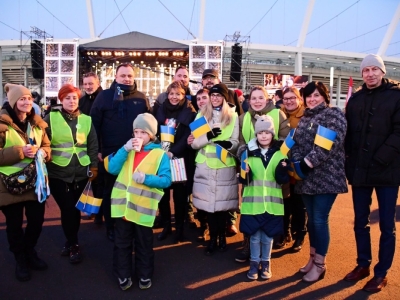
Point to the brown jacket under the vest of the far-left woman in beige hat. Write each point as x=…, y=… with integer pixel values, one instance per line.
x=12, y=155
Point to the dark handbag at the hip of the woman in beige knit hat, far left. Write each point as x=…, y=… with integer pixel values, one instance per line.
x=21, y=181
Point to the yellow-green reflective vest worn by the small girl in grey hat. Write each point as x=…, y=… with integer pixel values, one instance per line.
x=263, y=194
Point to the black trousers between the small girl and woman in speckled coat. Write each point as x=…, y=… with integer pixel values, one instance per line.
x=295, y=215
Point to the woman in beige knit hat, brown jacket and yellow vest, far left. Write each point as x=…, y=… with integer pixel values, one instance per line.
x=16, y=151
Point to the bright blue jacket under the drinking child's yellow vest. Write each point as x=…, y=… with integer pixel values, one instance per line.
x=163, y=178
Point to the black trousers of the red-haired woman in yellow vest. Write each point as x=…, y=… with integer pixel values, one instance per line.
x=66, y=196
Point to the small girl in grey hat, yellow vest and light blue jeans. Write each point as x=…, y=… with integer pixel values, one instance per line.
x=262, y=203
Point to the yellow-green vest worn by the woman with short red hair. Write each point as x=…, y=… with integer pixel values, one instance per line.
x=62, y=141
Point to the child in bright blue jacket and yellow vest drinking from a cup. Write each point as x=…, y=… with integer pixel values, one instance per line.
x=143, y=171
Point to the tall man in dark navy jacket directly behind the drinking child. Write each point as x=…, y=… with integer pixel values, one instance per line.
x=113, y=114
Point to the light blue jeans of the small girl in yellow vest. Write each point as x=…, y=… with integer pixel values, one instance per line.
x=260, y=242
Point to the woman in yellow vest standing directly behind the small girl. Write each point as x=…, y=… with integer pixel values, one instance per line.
x=260, y=104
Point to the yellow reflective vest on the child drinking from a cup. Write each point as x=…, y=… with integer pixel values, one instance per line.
x=136, y=202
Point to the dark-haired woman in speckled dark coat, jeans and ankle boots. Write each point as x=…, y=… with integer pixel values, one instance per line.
x=322, y=168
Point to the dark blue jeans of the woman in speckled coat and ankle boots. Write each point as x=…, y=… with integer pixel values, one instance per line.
x=318, y=208
